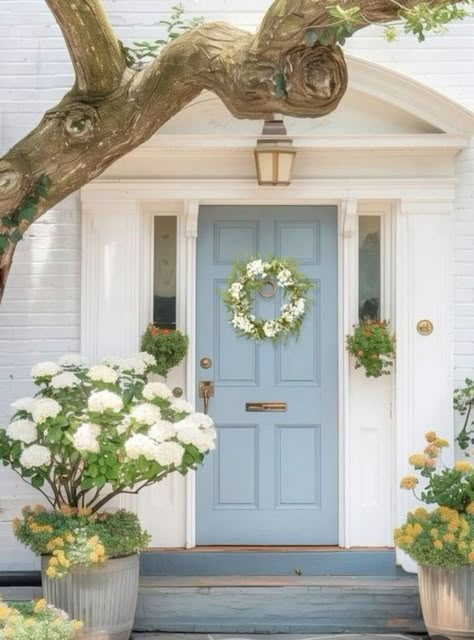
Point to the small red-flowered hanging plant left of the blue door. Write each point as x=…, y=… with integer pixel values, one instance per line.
x=169, y=348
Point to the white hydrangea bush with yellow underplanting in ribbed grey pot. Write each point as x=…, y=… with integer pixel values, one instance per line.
x=88, y=435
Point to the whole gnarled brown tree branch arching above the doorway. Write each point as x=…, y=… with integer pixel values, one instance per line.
x=111, y=109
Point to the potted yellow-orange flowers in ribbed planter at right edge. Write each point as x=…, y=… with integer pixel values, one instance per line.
x=441, y=539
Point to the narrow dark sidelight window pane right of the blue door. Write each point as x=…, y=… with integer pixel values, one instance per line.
x=369, y=267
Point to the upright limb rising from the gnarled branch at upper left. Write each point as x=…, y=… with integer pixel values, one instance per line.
x=94, y=48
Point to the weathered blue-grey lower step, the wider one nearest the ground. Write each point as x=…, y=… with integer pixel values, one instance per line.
x=279, y=604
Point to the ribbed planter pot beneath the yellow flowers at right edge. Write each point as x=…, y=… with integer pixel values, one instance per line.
x=447, y=601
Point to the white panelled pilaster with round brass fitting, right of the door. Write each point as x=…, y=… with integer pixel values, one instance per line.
x=424, y=363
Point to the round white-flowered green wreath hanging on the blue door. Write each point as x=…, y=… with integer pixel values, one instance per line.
x=265, y=277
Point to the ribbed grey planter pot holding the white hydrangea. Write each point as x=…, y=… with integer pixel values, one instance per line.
x=103, y=597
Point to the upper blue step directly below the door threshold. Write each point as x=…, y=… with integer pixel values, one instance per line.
x=269, y=561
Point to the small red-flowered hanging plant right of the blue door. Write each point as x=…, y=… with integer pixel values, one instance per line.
x=373, y=347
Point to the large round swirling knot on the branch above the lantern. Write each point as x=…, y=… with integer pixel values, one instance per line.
x=315, y=79
